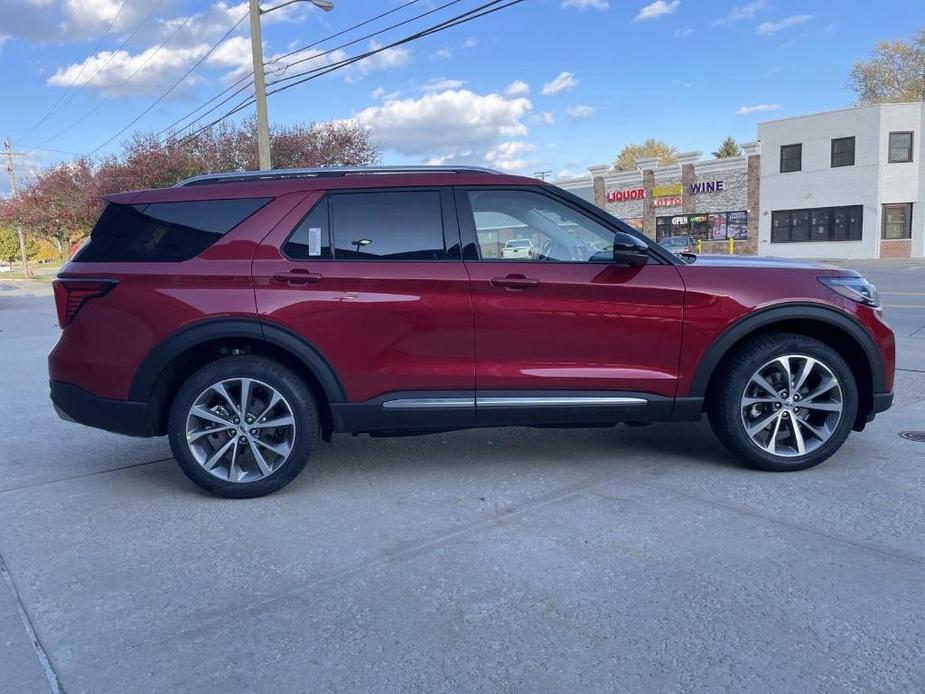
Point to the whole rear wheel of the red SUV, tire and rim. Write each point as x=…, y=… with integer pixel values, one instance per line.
x=198, y=437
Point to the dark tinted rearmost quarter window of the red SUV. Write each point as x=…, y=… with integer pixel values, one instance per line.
x=164, y=231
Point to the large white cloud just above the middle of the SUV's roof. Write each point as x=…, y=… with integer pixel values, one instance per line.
x=455, y=124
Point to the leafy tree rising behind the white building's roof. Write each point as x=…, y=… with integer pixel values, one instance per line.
x=896, y=73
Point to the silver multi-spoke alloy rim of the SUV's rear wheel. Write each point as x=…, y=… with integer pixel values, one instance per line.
x=240, y=430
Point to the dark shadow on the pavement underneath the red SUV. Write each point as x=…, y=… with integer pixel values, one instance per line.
x=495, y=454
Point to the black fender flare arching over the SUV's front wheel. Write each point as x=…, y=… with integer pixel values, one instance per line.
x=773, y=314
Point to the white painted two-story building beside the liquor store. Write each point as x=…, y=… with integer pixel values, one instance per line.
x=844, y=184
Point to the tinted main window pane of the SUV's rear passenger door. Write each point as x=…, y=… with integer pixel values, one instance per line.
x=406, y=225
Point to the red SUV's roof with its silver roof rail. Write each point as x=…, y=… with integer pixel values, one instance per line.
x=276, y=183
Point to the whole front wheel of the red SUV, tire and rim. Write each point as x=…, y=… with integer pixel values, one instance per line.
x=804, y=427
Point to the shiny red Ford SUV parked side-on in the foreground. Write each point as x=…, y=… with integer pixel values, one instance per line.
x=247, y=315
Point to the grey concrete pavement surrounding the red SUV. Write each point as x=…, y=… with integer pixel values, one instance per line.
x=632, y=560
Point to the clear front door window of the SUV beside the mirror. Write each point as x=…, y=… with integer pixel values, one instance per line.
x=522, y=225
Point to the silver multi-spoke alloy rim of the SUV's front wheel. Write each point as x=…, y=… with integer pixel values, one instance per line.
x=791, y=405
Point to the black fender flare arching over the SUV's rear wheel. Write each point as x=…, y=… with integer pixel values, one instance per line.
x=153, y=365
